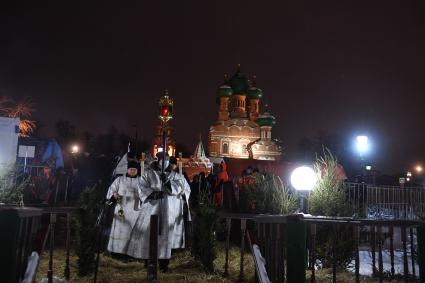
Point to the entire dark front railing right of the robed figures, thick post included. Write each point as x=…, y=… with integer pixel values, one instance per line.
x=288, y=246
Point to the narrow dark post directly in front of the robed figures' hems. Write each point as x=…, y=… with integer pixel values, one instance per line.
x=153, y=250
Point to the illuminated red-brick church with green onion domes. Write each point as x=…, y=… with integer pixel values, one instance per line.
x=241, y=131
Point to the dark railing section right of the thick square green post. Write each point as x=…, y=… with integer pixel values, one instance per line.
x=374, y=237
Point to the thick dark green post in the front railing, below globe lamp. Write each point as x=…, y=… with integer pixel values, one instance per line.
x=296, y=249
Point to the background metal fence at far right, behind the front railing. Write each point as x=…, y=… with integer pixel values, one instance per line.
x=386, y=201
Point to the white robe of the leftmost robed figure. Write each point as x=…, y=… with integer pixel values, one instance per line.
x=122, y=226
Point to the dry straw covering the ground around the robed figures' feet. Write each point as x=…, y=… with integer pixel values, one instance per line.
x=182, y=268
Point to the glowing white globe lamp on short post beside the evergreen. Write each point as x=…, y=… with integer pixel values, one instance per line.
x=303, y=179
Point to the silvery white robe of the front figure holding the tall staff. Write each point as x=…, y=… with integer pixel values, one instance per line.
x=169, y=209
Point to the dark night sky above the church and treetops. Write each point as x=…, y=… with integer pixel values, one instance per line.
x=345, y=67
